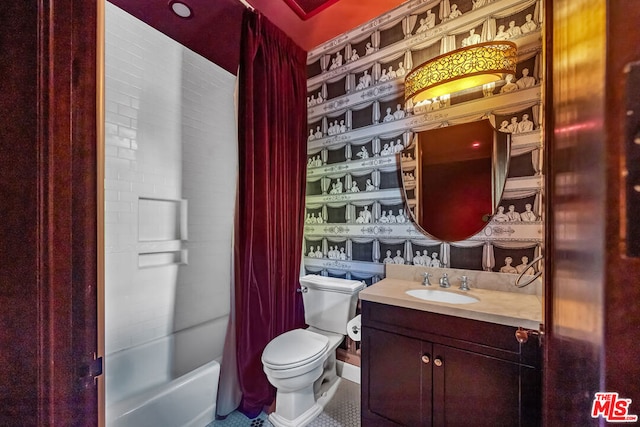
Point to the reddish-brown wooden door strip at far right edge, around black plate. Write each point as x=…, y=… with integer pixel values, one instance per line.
x=622, y=291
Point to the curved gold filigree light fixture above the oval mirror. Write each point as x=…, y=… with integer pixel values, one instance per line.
x=461, y=69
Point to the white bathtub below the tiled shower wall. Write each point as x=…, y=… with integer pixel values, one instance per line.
x=186, y=401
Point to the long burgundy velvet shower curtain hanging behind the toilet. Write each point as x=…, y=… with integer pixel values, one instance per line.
x=270, y=210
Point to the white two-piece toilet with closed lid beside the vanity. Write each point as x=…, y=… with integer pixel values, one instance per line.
x=301, y=364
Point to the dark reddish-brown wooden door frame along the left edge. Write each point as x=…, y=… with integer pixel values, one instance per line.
x=48, y=232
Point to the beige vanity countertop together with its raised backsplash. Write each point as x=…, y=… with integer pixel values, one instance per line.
x=499, y=301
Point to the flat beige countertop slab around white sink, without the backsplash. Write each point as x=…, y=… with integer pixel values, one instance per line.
x=505, y=308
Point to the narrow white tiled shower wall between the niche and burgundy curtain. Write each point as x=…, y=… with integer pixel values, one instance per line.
x=209, y=170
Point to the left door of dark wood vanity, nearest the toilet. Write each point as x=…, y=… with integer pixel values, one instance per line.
x=398, y=378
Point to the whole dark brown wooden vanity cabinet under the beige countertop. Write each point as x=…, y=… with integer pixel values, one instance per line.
x=422, y=369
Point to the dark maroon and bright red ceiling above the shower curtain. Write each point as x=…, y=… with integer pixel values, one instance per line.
x=213, y=30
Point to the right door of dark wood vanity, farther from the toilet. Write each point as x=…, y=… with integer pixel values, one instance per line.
x=474, y=389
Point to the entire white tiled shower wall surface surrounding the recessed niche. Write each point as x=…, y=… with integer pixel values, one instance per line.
x=170, y=134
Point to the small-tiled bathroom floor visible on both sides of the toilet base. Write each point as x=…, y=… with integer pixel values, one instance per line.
x=342, y=411
